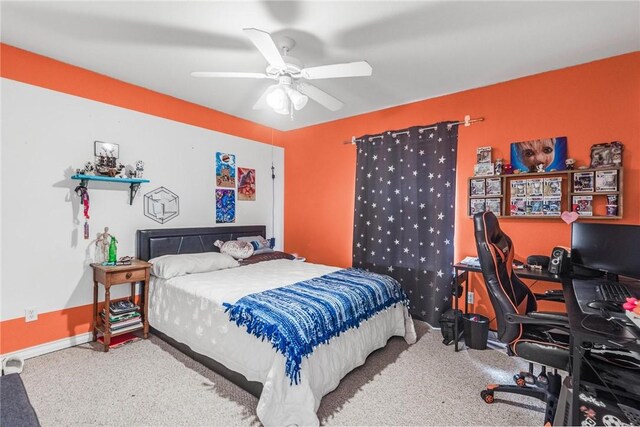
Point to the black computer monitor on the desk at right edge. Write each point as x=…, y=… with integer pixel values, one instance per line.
x=610, y=248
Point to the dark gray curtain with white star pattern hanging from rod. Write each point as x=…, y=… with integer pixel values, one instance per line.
x=405, y=211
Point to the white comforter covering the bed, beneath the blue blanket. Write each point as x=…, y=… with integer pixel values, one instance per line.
x=189, y=309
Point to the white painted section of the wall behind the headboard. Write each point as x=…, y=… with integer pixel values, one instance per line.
x=46, y=135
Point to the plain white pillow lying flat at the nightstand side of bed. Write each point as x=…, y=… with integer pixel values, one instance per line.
x=168, y=266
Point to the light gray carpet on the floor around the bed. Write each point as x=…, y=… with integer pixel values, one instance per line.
x=150, y=383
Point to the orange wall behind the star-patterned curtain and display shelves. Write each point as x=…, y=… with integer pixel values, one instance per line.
x=590, y=103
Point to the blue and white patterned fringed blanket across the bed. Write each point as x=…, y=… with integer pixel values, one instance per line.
x=299, y=317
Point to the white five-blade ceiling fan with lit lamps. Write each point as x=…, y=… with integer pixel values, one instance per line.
x=290, y=91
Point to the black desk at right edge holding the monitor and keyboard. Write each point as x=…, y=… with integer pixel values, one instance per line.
x=589, y=329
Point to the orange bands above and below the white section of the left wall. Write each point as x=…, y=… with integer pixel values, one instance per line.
x=27, y=67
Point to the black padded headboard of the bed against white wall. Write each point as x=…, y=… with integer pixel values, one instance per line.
x=172, y=241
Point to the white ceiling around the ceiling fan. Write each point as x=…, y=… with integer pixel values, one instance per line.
x=418, y=49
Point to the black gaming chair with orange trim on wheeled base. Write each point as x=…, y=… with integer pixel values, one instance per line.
x=539, y=337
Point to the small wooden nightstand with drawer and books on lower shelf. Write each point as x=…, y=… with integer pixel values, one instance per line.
x=138, y=271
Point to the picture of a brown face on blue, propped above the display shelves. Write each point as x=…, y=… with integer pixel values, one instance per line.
x=550, y=152
